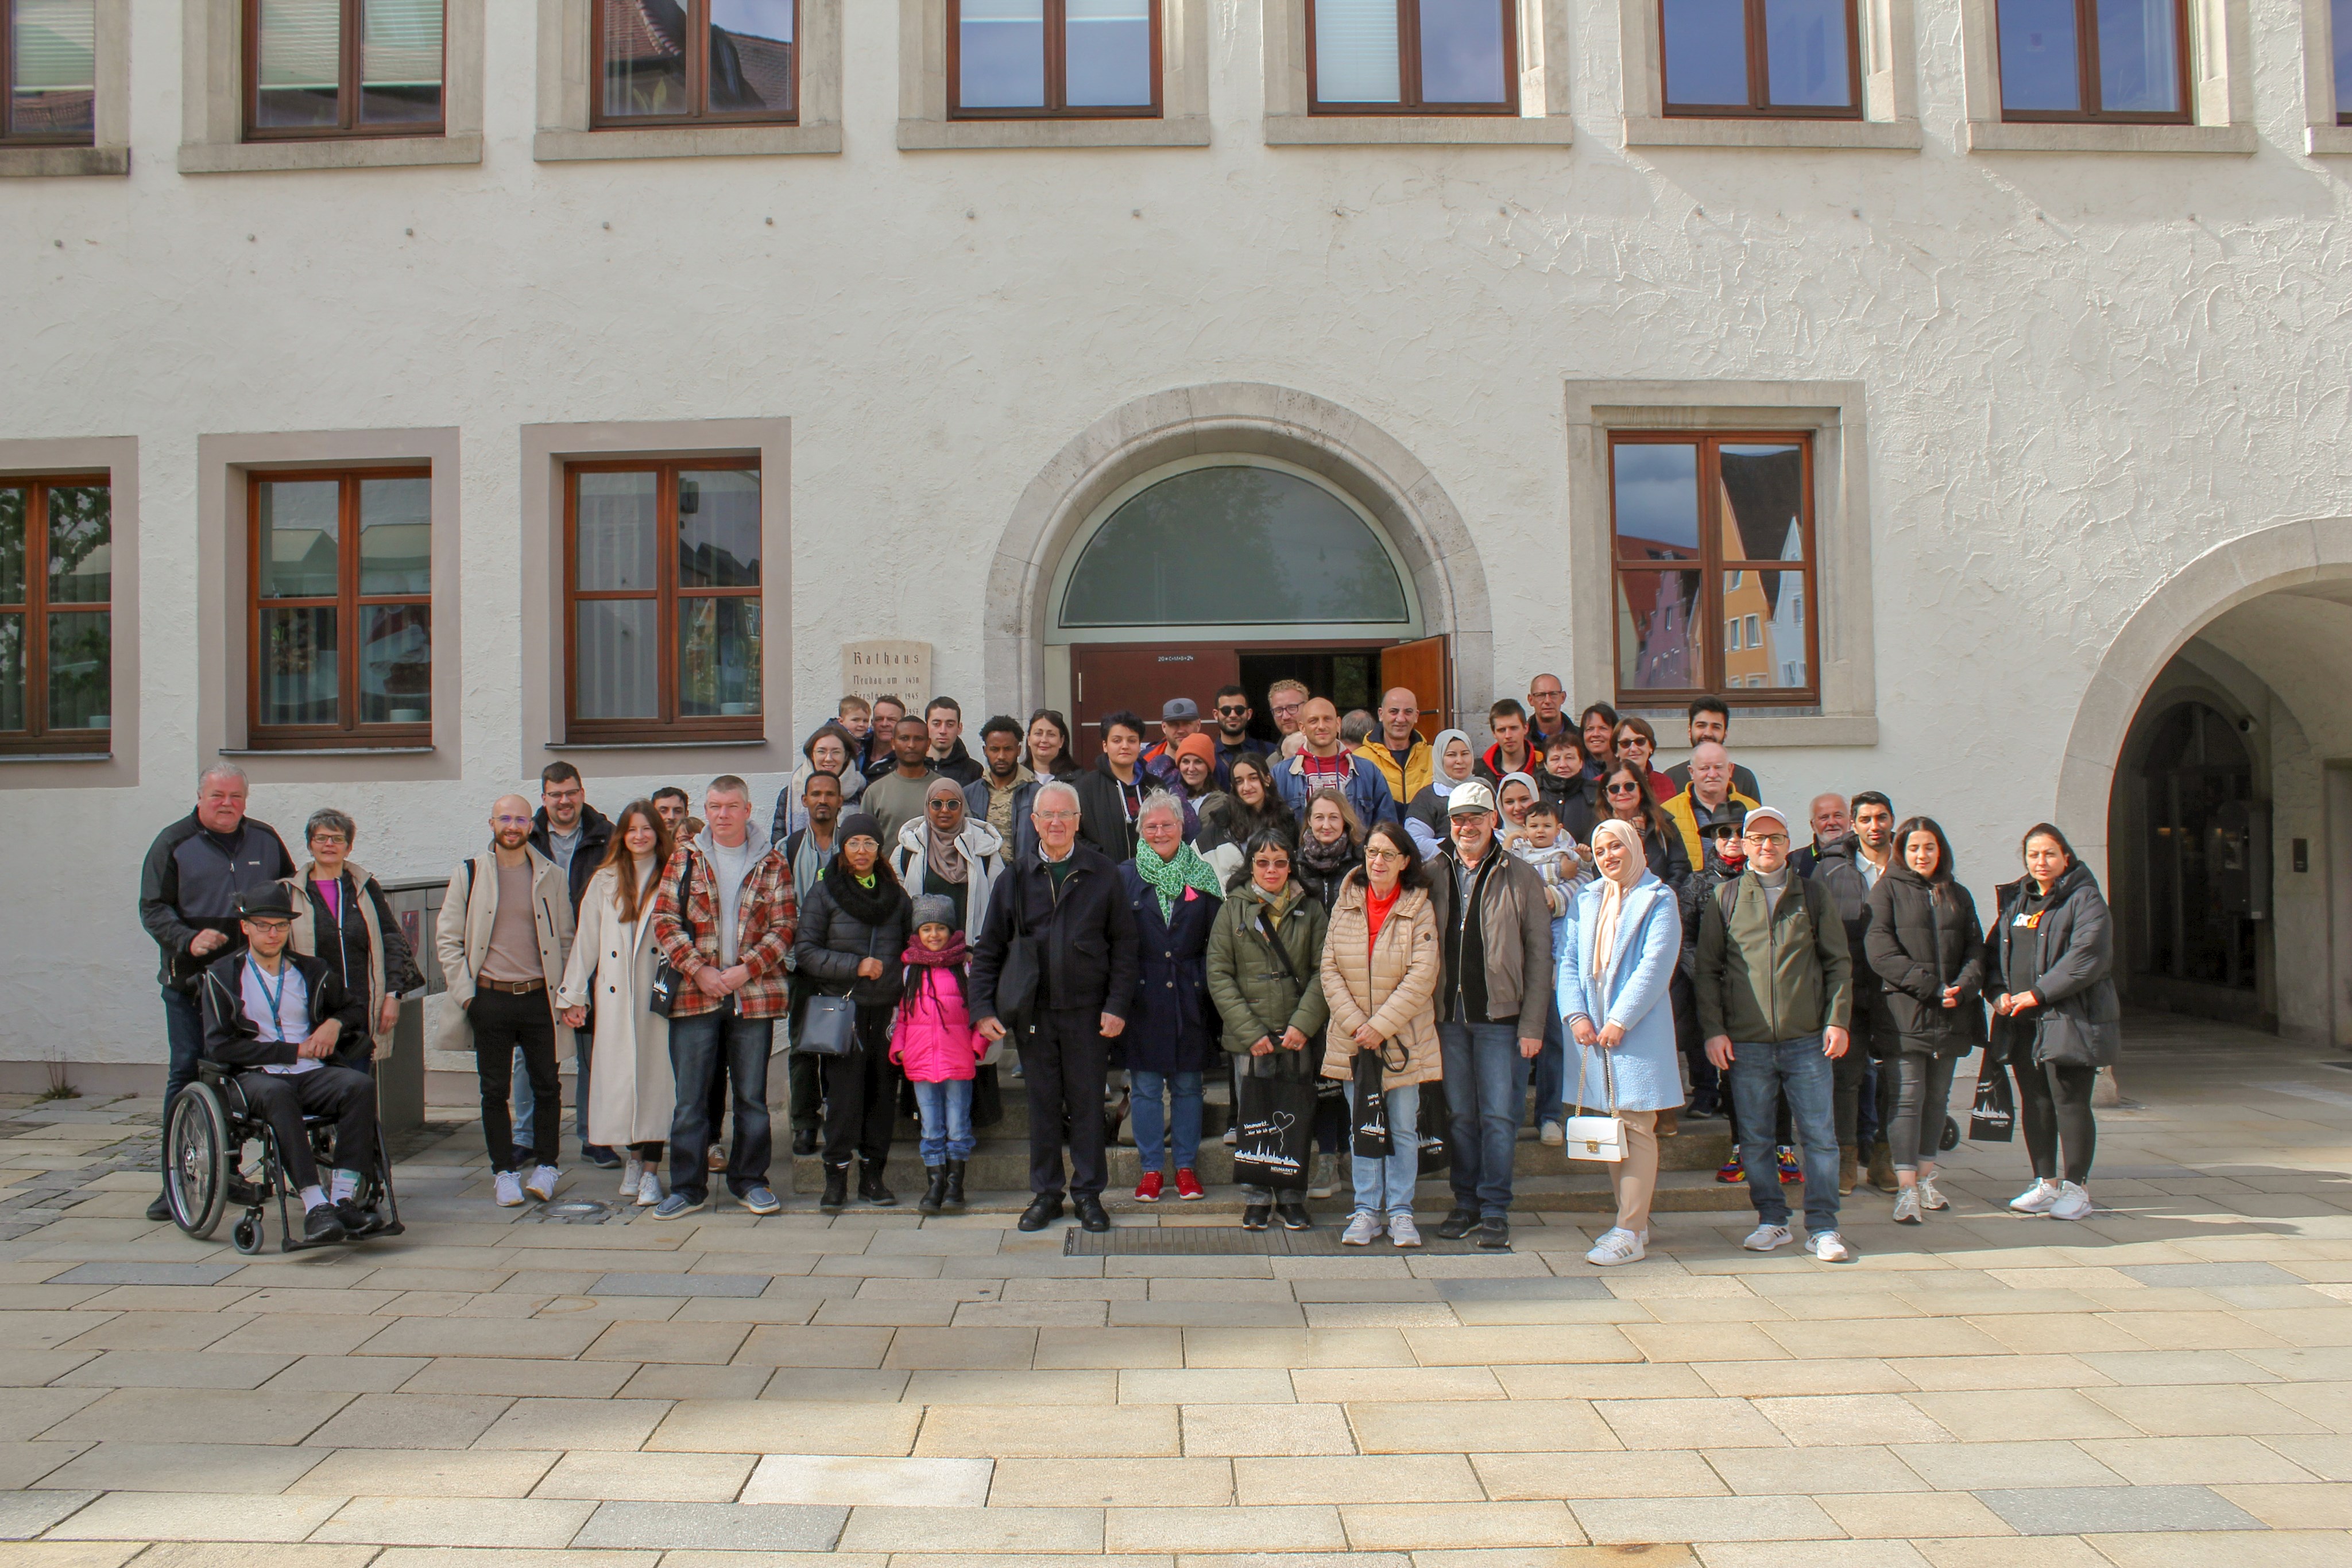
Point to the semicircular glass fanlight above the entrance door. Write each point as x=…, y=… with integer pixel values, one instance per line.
x=1288, y=554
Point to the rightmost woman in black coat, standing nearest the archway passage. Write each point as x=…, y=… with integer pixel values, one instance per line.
x=2054, y=960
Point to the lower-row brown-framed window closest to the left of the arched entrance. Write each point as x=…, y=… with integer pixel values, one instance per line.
x=662, y=601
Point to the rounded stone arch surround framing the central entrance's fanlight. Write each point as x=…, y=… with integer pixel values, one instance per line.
x=1241, y=420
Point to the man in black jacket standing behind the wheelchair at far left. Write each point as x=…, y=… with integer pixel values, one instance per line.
x=189, y=899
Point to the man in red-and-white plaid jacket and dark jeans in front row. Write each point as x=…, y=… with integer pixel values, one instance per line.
x=728, y=937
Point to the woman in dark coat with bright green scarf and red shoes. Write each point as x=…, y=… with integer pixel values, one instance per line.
x=1172, y=1026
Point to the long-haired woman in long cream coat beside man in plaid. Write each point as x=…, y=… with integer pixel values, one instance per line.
x=632, y=1092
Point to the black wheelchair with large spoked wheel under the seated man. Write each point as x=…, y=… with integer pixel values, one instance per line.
x=203, y=1158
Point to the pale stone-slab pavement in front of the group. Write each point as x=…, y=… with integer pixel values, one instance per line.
x=2163, y=1386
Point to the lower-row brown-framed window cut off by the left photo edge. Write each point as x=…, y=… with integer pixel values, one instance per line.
x=55, y=615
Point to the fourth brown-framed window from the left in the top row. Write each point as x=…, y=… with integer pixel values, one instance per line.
x=1088, y=60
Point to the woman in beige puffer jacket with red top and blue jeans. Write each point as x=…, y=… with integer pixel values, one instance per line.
x=1379, y=977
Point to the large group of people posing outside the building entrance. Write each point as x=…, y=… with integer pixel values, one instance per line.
x=1419, y=930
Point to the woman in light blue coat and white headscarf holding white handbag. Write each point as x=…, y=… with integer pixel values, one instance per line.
x=1622, y=953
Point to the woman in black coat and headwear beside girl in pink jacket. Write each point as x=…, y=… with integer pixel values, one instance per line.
x=853, y=934
